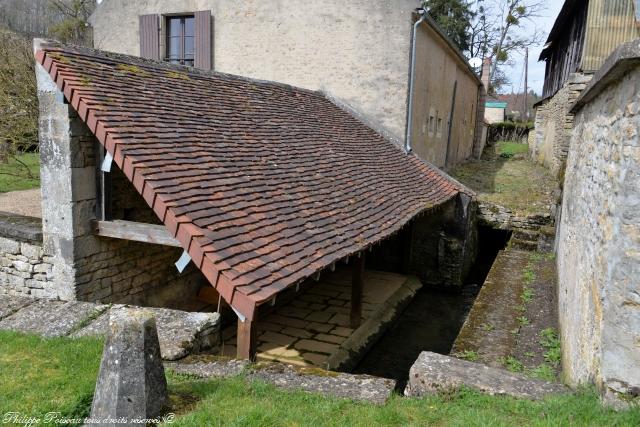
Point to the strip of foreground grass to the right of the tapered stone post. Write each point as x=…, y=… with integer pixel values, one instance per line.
x=233, y=402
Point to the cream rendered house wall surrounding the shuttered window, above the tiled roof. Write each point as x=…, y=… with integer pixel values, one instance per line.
x=357, y=52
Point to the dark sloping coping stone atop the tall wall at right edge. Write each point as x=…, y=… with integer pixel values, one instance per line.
x=616, y=66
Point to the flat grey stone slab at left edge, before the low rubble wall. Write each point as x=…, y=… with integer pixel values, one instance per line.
x=51, y=318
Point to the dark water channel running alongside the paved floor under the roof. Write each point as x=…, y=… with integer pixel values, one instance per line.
x=433, y=319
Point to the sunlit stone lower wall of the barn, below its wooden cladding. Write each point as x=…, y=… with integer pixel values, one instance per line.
x=553, y=125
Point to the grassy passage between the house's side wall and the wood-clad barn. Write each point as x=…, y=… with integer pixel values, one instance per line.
x=506, y=178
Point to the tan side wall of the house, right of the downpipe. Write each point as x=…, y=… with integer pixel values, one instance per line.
x=438, y=68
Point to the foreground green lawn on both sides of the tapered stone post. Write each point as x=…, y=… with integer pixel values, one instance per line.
x=41, y=375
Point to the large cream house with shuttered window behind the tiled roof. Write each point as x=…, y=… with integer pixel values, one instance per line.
x=411, y=85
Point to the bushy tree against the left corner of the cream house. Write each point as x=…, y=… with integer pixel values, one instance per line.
x=73, y=27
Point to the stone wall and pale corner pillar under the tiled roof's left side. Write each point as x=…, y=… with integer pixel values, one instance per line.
x=84, y=266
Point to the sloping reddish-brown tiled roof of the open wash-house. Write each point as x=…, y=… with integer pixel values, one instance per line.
x=263, y=184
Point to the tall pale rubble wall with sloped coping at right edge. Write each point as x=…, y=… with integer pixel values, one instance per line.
x=599, y=234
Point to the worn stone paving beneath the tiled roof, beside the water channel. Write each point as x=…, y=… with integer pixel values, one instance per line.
x=311, y=328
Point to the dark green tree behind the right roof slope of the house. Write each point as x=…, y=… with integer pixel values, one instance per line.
x=454, y=18
